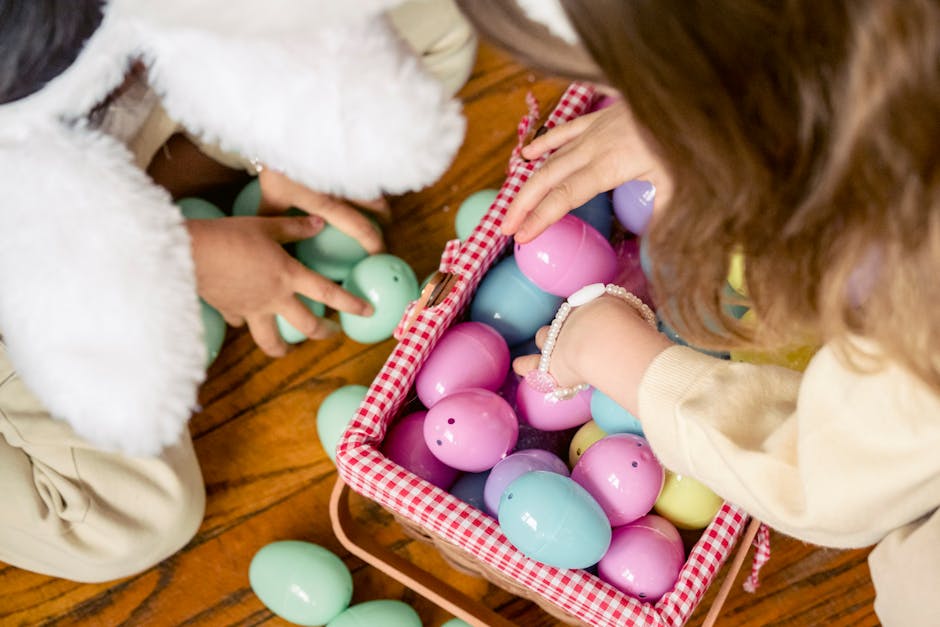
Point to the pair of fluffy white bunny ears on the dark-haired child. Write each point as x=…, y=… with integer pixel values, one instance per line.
x=98, y=305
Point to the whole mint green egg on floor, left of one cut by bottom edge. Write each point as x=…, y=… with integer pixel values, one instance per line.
x=301, y=582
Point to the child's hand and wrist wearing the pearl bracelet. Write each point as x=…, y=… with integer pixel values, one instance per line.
x=605, y=343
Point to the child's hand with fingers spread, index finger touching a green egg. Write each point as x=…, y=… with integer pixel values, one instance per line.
x=242, y=270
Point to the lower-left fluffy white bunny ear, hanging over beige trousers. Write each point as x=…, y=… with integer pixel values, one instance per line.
x=99, y=308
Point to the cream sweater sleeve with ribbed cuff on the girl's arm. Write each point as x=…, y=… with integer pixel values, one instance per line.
x=833, y=456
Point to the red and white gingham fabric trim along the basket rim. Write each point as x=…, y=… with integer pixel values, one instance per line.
x=367, y=471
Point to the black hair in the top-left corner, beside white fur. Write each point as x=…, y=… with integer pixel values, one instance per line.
x=39, y=39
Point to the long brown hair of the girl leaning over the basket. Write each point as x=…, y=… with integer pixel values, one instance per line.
x=803, y=134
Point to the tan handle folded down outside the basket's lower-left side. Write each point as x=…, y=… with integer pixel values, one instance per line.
x=360, y=543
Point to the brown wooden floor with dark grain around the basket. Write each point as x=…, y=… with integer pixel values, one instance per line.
x=268, y=478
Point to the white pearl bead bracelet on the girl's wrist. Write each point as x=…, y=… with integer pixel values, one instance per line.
x=540, y=379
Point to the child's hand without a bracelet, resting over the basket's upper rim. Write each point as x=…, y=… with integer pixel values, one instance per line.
x=595, y=153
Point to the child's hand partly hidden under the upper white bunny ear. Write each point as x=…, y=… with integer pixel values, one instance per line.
x=279, y=193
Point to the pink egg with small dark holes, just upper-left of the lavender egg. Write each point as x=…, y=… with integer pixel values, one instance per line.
x=471, y=429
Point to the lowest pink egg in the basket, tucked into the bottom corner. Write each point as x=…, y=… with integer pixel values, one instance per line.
x=644, y=558
